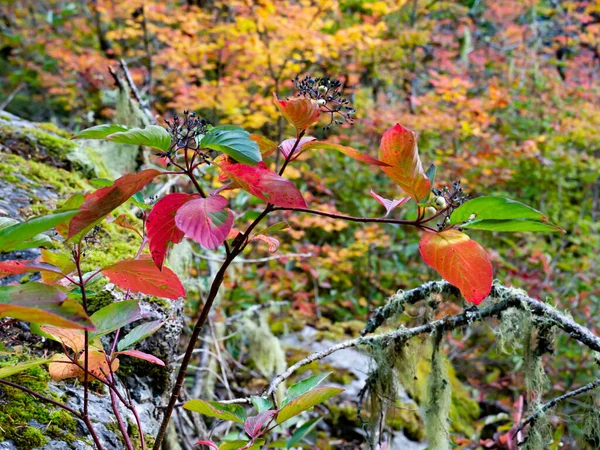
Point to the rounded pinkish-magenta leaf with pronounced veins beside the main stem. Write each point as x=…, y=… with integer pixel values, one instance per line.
x=205, y=220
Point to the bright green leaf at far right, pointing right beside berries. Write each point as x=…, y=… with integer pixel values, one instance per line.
x=478, y=213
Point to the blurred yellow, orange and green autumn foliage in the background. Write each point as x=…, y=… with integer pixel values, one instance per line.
x=505, y=97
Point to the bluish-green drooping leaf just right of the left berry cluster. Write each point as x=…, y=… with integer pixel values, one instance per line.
x=234, y=143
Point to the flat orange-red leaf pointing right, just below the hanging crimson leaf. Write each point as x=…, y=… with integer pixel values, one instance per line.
x=142, y=275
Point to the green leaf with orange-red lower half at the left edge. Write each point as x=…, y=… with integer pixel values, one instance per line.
x=36, y=302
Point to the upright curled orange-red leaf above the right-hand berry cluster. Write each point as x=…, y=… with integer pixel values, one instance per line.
x=399, y=149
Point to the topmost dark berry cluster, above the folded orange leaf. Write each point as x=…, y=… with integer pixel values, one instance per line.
x=328, y=94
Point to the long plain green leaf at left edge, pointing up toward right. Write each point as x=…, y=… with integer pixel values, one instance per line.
x=17, y=236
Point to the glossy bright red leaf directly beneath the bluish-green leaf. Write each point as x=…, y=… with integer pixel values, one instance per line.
x=264, y=183
